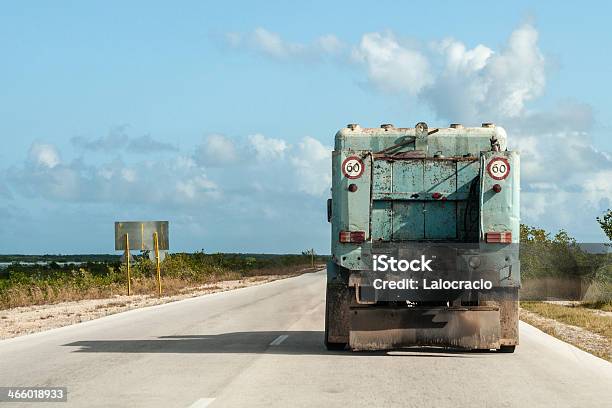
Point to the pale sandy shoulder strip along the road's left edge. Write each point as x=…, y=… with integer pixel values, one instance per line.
x=31, y=319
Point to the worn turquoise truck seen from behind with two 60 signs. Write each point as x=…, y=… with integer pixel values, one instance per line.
x=424, y=239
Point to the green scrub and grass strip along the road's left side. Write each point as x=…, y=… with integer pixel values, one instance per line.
x=22, y=285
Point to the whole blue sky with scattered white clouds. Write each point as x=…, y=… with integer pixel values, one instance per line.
x=220, y=116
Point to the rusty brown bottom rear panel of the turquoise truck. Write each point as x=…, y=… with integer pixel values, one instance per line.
x=384, y=328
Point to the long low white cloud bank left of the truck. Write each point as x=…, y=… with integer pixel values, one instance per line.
x=180, y=181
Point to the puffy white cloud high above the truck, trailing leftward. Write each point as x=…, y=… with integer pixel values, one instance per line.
x=460, y=84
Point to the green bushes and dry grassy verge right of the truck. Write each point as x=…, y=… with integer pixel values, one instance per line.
x=556, y=266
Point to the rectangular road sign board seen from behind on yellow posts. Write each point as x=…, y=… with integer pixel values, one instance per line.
x=141, y=234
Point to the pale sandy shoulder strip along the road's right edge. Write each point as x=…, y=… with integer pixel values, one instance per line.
x=579, y=337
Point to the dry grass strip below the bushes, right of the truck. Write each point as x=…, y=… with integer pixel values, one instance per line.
x=575, y=316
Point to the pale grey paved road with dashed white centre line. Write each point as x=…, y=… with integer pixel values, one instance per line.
x=263, y=346
